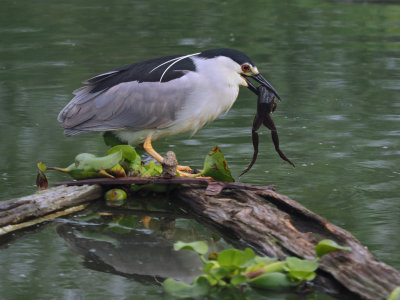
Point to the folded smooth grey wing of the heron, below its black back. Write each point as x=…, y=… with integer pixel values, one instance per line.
x=126, y=106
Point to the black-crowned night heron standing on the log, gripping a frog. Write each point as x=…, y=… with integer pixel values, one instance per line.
x=159, y=97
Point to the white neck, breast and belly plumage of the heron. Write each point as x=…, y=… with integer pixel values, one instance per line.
x=212, y=94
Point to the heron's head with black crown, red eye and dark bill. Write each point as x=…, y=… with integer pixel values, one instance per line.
x=244, y=66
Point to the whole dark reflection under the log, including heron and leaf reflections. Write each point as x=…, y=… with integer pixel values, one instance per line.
x=136, y=244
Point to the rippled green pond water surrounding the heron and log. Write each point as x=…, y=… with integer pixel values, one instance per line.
x=336, y=64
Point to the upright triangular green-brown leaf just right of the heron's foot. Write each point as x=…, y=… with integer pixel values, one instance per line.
x=215, y=166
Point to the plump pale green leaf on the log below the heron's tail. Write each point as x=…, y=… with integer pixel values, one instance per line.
x=89, y=162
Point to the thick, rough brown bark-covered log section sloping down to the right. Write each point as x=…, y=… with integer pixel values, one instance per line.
x=277, y=226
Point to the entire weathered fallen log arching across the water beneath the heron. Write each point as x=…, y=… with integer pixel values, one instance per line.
x=270, y=223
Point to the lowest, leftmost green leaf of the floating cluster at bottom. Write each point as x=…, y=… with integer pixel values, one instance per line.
x=178, y=289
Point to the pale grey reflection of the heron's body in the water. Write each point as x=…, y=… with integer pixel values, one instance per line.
x=145, y=254
